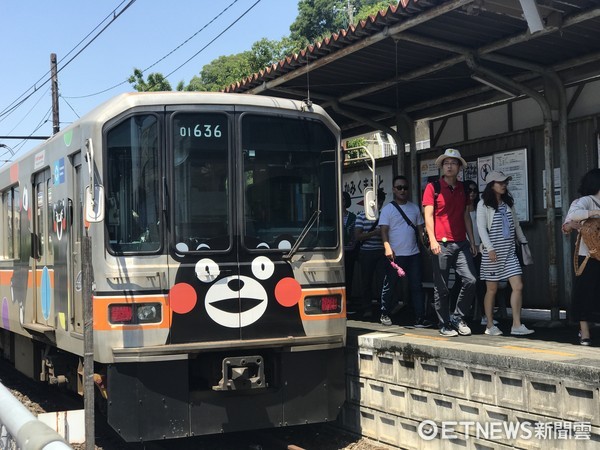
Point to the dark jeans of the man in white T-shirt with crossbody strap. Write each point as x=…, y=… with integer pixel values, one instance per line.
x=412, y=267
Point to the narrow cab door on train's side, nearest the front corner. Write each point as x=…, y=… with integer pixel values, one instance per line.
x=75, y=209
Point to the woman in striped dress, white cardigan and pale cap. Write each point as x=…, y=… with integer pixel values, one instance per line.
x=498, y=225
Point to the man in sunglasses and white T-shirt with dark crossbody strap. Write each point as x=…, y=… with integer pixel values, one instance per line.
x=401, y=224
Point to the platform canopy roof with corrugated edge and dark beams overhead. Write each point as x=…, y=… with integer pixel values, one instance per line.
x=430, y=58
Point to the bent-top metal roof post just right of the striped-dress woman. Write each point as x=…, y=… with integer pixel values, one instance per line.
x=549, y=176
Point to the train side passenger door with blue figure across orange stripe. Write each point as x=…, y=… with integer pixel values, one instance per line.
x=42, y=273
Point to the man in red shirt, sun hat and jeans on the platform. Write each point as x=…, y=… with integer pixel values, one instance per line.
x=448, y=225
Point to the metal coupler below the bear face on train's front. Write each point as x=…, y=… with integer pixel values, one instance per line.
x=240, y=373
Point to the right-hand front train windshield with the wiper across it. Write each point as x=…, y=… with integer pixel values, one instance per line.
x=289, y=178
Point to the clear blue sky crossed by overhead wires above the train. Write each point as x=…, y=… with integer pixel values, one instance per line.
x=141, y=36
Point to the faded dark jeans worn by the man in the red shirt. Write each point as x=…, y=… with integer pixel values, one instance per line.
x=457, y=255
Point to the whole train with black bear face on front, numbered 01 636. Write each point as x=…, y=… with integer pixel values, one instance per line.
x=218, y=290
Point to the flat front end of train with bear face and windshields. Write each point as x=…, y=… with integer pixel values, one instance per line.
x=227, y=222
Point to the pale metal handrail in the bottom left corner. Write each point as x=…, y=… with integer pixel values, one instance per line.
x=18, y=425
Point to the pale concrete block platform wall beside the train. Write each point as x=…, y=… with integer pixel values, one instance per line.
x=394, y=386
